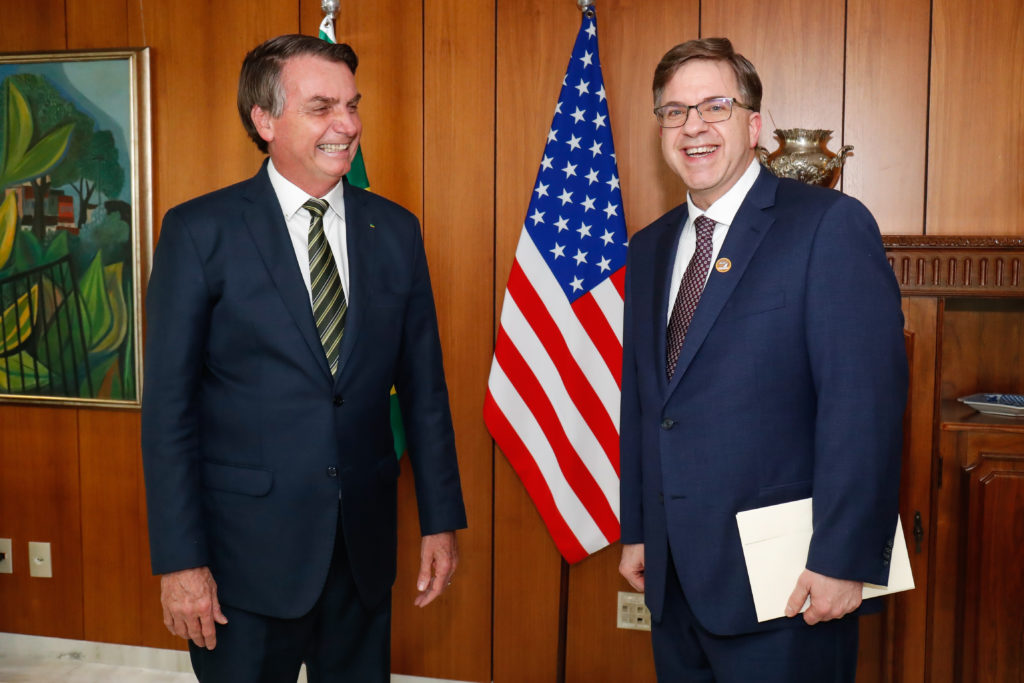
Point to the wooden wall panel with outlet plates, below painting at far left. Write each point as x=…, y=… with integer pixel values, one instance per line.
x=39, y=502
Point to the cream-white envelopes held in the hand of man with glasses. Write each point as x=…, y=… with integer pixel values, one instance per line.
x=777, y=540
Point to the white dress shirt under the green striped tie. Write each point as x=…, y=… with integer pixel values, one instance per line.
x=291, y=200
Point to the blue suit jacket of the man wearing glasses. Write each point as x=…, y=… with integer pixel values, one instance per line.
x=792, y=383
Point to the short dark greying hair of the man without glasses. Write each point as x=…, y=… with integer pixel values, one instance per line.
x=260, y=82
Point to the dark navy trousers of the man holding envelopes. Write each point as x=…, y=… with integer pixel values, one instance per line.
x=687, y=653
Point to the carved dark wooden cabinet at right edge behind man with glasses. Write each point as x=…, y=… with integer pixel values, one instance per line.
x=963, y=472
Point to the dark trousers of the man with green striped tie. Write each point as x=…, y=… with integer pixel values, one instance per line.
x=339, y=639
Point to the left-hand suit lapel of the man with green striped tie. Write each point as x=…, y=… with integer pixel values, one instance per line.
x=267, y=226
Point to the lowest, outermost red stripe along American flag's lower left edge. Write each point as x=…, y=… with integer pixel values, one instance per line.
x=530, y=475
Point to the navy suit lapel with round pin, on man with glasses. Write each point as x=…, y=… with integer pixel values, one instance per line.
x=746, y=233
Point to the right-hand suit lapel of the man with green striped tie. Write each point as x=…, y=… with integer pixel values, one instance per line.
x=360, y=238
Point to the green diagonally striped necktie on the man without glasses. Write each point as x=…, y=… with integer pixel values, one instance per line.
x=330, y=306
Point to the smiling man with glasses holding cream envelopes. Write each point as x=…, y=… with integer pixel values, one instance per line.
x=763, y=363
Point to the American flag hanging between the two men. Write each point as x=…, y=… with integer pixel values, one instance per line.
x=553, y=393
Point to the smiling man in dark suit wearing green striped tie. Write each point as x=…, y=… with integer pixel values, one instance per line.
x=281, y=312
